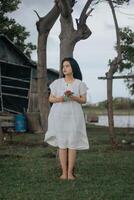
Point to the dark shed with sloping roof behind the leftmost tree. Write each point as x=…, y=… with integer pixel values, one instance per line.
x=17, y=72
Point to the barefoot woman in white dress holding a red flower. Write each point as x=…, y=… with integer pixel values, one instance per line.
x=66, y=123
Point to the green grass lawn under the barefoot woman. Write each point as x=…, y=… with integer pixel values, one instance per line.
x=29, y=170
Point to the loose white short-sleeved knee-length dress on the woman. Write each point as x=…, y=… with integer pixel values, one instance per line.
x=66, y=122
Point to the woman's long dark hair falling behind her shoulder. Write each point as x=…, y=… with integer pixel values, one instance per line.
x=75, y=68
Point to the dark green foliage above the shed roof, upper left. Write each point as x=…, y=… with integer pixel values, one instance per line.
x=14, y=31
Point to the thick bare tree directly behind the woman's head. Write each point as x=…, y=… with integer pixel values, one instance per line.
x=69, y=36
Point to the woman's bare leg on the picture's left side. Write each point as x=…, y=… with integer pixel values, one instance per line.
x=63, y=162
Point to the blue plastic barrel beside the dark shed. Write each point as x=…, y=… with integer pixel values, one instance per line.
x=20, y=123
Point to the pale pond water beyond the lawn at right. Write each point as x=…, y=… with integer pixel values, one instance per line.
x=119, y=120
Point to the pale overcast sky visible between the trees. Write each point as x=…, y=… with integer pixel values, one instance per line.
x=92, y=54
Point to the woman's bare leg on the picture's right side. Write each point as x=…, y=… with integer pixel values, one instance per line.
x=71, y=162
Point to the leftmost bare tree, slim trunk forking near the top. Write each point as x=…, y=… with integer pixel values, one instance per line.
x=44, y=26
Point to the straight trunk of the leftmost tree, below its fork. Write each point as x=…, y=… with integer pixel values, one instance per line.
x=42, y=81
